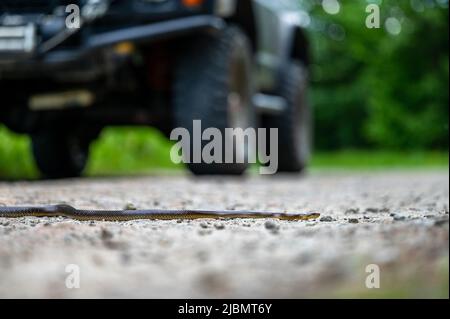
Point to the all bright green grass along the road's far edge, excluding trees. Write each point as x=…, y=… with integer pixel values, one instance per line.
x=130, y=151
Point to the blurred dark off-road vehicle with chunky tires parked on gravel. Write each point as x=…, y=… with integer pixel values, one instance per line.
x=68, y=68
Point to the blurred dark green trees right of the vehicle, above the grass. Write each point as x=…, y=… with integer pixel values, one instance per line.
x=385, y=87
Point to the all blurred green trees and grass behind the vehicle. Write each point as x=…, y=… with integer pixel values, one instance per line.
x=380, y=95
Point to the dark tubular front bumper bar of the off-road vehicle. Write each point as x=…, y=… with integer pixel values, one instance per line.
x=79, y=57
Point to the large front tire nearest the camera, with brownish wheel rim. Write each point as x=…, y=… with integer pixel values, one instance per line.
x=214, y=84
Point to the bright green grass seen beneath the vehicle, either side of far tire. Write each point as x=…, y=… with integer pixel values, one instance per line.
x=118, y=151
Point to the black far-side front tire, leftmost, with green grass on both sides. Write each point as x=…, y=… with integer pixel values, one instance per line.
x=60, y=155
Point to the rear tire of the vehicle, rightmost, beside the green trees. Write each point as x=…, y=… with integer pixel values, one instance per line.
x=295, y=122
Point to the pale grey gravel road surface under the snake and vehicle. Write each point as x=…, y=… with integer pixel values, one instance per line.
x=396, y=220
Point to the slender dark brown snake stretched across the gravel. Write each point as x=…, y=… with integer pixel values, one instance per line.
x=70, y=212
